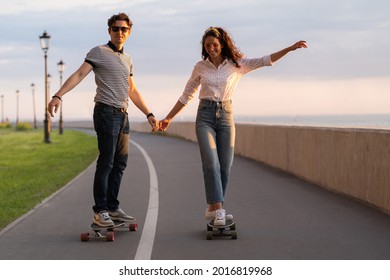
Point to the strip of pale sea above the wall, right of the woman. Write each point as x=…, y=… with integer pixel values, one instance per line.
x=377, y=121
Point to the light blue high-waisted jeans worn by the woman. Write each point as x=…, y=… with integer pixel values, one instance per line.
x=215, y=131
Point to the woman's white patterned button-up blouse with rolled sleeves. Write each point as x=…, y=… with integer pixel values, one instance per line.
x=218, y=84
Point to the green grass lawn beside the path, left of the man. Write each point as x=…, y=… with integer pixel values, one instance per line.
x=31, y=170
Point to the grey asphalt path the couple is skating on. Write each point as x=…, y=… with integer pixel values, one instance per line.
x=278, y=216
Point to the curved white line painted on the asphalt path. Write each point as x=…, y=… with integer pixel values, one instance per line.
x=145, y=246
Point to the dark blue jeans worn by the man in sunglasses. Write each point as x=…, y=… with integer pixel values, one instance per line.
x=112, y=129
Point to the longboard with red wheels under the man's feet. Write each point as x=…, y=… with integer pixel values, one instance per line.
x=109, y=231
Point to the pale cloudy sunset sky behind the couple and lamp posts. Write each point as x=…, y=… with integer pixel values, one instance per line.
x=344, y=70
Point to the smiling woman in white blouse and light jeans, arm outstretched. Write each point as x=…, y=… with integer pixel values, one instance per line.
x=218, y=74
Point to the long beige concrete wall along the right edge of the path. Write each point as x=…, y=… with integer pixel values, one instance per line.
x=354, y=162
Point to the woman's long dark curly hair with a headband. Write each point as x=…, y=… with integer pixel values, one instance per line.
x=229, y=50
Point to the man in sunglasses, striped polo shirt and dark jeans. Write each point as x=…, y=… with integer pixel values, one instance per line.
x=113, y=70
